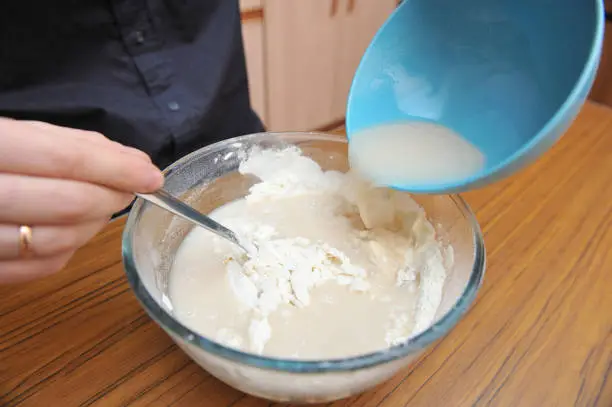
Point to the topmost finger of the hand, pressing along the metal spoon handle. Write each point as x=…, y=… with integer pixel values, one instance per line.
x=49, y=154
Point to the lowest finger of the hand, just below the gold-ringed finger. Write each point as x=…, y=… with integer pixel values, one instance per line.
x=18, y=271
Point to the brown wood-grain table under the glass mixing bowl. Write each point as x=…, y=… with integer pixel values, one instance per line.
x=539, y=334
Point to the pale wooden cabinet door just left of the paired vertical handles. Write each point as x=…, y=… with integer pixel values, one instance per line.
x=301, y=40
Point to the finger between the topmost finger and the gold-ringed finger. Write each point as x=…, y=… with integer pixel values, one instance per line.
x=42, y=201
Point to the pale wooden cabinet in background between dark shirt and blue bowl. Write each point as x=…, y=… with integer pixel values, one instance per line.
x=302, y=54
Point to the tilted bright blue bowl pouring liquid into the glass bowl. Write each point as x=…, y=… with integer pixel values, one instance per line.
x=508, y=75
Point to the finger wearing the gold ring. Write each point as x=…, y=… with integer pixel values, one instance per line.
x=47, y=241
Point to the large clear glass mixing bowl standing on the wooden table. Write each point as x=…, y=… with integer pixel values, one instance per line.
x=209, y=178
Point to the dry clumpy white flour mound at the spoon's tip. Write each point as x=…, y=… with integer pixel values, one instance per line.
x=284, y=271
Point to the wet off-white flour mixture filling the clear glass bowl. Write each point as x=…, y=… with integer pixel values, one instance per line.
x=341, y=269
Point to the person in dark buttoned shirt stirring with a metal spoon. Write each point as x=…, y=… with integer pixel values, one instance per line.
x=95, y=97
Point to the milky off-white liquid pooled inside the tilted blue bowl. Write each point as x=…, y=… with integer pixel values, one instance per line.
x=413, y=154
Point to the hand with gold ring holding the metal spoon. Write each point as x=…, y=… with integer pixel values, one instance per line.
x=64, y=184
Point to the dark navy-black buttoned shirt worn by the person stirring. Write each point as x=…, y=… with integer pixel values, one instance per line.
x=165, y=76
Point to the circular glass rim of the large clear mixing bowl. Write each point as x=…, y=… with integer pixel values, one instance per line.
x=413, y=344
